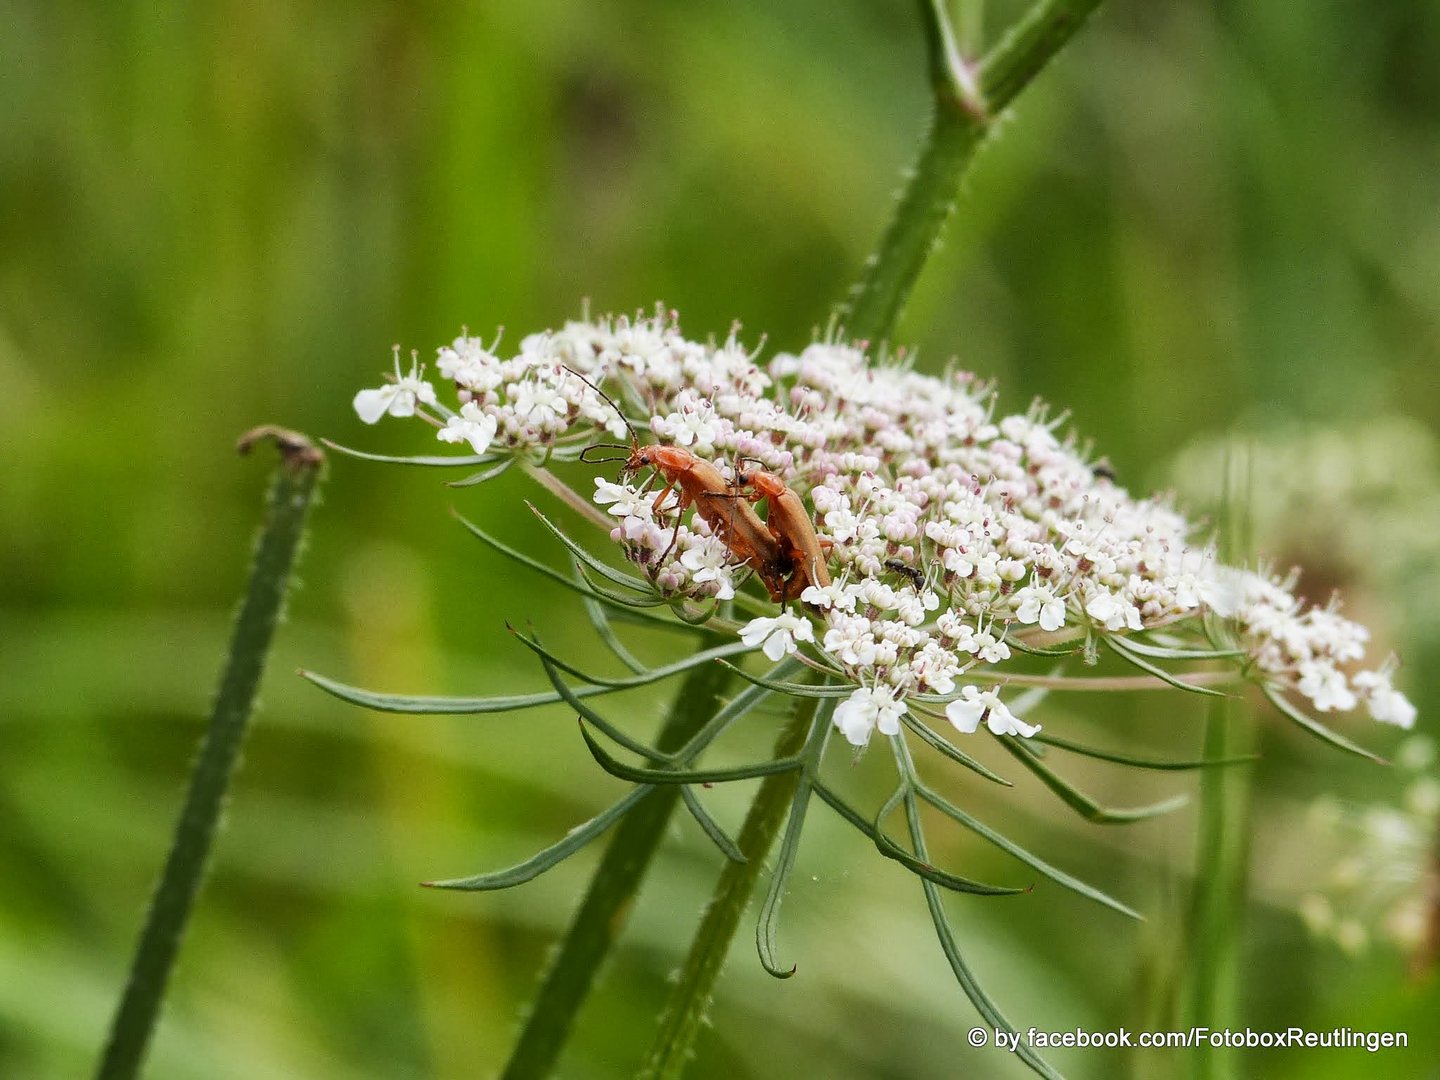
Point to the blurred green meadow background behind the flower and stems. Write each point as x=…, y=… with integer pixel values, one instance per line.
x=1205, y=218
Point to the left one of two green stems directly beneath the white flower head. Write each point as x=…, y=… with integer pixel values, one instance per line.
x=613, y=889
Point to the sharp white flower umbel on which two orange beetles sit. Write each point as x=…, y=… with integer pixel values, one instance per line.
x=950, y=532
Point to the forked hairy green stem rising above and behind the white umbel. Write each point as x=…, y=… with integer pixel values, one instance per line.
x=967, y=104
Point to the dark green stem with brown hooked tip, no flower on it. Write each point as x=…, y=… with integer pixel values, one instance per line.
x=280, y=541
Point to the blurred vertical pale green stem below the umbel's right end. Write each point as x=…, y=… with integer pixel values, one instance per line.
x=1222, y=866
